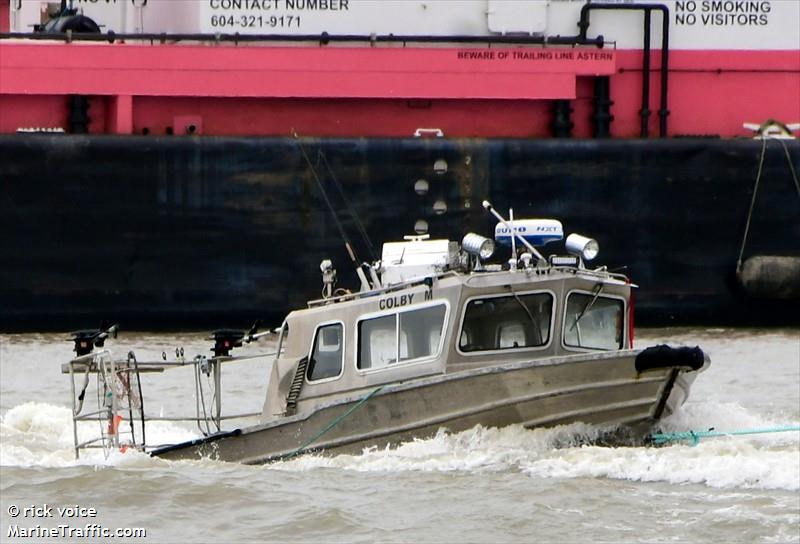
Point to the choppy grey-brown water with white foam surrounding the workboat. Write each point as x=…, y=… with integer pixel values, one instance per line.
x=482, y=485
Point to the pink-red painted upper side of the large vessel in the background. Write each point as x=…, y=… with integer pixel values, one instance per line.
x=383, y=92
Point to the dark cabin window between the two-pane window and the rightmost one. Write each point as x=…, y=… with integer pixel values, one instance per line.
x=507, y=322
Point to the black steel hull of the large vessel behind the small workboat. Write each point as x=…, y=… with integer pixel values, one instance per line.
x=179, y=232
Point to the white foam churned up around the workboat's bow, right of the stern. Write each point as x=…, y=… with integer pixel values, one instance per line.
x=764, y=461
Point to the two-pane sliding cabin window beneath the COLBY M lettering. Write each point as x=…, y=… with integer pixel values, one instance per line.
x=404, y=336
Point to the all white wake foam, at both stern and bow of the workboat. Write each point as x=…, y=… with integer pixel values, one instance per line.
x=35, y=434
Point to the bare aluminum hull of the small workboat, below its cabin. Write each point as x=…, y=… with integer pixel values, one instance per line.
x=600, y=389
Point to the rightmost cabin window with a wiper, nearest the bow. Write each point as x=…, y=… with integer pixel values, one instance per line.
x=593, y=322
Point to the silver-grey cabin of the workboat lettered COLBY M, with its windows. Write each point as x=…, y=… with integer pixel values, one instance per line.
x=433, y=309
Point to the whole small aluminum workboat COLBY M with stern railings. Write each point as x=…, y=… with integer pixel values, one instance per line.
x=435, y=338
